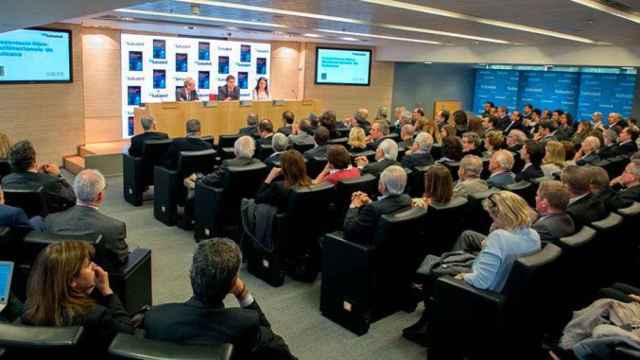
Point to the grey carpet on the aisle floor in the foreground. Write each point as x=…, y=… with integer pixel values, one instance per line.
x=292, y=309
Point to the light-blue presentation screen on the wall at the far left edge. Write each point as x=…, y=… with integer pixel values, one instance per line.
x=35, y=56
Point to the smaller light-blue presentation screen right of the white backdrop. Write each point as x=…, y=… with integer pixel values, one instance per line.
x=343, y=66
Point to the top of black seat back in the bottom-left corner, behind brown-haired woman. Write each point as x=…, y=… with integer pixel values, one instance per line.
x=38, y=337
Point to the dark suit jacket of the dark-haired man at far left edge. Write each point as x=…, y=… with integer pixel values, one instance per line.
x=58, y=192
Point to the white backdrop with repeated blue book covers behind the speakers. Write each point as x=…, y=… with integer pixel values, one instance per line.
x=153, y=67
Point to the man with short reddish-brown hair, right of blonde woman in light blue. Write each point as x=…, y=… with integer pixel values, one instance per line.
x=553, y=222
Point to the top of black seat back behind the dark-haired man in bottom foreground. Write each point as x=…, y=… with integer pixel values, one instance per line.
x=126, y=346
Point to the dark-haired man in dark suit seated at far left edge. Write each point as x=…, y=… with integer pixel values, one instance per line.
x=58, y=192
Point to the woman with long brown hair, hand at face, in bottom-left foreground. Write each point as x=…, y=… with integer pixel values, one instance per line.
x=66, y=288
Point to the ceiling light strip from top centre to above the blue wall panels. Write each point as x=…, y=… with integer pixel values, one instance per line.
x=455, y=15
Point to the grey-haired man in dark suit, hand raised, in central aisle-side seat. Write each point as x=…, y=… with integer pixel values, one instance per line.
x=364, y=214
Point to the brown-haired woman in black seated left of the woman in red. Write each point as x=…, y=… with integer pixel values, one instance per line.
x=294, y=174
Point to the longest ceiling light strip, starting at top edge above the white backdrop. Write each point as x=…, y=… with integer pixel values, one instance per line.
x=340, y=19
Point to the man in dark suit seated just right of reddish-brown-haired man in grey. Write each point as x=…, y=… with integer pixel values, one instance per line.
x=583, y=207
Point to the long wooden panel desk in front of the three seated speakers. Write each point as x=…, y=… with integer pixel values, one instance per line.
x=221, y=117
